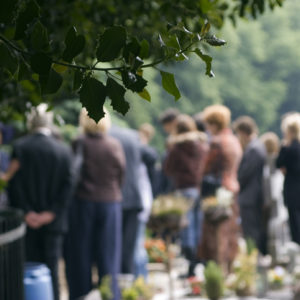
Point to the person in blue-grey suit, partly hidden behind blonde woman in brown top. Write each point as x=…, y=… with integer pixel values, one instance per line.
x=132, y=200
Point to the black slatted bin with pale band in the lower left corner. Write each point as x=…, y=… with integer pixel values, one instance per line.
x=12, y=231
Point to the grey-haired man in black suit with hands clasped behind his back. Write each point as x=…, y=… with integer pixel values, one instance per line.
x=41, y=187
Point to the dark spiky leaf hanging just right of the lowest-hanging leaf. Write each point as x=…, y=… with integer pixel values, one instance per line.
x=116, y=93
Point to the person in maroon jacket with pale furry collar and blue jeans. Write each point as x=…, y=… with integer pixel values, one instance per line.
x=185, y=165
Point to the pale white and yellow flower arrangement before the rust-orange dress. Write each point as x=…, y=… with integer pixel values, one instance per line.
x=218, y=208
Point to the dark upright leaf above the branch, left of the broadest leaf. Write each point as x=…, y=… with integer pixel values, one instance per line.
x=74, y=45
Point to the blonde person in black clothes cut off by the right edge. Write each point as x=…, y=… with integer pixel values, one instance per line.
x=289, y=162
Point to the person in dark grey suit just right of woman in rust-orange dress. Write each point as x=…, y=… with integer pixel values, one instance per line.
x=250, y=176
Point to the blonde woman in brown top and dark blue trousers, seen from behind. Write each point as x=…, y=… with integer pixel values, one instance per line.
x=95, y=216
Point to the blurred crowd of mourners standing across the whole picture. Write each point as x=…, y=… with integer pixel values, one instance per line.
x=90, y=202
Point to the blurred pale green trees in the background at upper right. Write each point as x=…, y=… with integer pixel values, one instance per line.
x=258, y=74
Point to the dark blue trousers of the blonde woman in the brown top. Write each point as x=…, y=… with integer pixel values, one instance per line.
x=95, y=237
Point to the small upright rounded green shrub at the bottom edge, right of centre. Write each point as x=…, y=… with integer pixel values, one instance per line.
x=214, y=281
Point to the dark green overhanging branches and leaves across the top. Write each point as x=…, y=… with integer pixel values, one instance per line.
x=56, y=47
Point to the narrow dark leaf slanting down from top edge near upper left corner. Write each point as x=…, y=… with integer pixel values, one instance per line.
x=31, y=11
